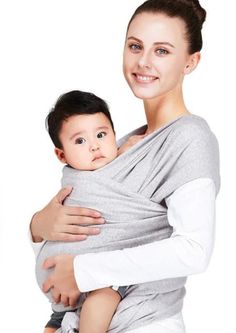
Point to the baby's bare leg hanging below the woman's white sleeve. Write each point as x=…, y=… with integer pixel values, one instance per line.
x=98, y=310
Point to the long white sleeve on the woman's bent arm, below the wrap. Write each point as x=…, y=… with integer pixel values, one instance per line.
x=191, y=213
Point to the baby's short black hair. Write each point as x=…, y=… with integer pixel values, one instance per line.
x=70, y=104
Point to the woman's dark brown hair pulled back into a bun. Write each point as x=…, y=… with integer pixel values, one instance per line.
x=190, y=11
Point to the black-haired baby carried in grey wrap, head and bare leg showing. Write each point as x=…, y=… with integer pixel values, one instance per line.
x=82, y=131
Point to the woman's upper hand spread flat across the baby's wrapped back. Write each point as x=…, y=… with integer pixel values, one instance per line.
x=56, y=222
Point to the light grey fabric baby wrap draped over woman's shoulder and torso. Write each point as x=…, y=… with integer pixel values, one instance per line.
x=130, y=193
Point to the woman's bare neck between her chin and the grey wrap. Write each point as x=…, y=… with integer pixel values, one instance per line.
x=162, y=110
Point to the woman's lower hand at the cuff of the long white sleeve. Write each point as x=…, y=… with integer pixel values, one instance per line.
x=61, y=281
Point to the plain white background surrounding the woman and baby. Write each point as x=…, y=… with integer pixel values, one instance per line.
x=49, y=47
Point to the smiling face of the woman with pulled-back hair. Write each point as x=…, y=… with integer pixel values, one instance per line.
x=155, y=55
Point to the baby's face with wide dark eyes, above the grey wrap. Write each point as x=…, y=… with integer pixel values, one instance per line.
x=88, y=142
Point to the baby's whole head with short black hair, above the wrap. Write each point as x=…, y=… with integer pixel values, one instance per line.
x=82, y=130
